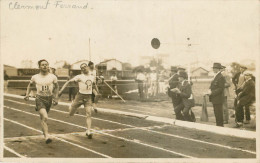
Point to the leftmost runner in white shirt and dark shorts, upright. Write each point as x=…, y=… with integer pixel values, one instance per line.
x=47, y=90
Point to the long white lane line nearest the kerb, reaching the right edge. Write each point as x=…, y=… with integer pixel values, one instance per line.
x=161, y=133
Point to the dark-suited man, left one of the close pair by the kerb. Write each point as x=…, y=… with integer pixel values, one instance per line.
x=173, y=82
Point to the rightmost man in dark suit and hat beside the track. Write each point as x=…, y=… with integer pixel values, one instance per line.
x=245, y=99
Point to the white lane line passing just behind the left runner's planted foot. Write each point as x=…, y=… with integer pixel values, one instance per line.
x=15, y=122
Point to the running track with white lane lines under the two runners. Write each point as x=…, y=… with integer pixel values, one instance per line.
x=115, y=136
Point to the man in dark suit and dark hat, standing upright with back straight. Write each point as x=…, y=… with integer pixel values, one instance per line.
x=216, y=93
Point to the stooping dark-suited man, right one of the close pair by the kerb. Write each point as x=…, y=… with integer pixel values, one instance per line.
x=184, y=91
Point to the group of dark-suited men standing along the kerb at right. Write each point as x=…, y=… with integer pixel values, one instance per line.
x=180, y=91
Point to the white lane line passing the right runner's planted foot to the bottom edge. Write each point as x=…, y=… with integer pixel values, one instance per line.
x=155, y=147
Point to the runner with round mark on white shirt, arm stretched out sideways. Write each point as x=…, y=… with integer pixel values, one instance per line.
x=84, y=96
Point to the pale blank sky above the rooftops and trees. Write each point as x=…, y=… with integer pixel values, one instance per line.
x=219, y=31
